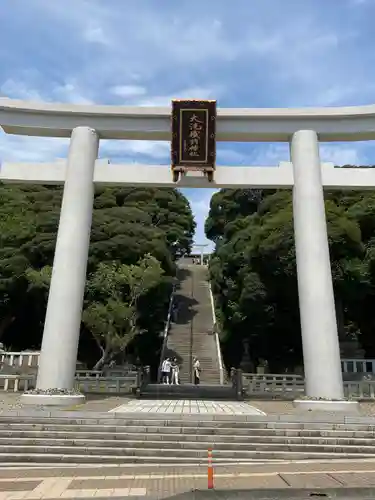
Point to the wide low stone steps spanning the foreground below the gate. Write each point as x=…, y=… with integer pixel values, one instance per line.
x=152, y=439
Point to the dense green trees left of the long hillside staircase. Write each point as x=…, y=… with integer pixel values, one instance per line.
x=136, y=236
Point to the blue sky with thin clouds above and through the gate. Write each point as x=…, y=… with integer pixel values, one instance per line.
x=258, y=53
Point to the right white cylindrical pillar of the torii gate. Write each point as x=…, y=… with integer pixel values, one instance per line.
x=321, y=353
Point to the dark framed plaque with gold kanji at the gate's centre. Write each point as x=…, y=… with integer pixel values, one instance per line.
x=193, y=135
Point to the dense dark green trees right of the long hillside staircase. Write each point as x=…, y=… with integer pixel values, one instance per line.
x=253, y=272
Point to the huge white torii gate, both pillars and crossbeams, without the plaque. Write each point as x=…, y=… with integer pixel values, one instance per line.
x=86, y=125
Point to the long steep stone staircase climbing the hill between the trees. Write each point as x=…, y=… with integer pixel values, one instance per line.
x=192, y=332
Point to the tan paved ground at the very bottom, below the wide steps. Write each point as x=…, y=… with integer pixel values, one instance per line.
x=142, y=481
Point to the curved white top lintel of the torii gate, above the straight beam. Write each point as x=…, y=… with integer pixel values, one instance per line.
x=353, y=123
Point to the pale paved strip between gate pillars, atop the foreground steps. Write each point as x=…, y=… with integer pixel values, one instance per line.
x=187, y=407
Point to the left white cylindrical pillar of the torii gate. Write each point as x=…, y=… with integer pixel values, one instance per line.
x=64, y=310
